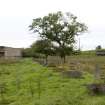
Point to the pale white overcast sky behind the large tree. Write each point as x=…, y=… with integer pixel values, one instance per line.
x=17, y=15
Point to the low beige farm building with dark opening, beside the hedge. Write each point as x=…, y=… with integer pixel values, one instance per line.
x=9, y=52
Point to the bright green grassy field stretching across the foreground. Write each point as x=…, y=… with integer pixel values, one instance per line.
x=27, y=83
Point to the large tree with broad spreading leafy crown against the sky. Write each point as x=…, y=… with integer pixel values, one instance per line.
x=59, y=28
